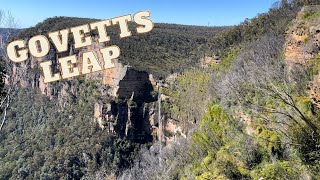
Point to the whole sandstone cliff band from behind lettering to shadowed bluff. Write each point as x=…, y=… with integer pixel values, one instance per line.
x=129, y=108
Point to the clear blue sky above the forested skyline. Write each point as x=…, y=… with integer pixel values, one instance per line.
x=191, y=12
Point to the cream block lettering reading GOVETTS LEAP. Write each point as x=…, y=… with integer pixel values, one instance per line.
x=39, y=46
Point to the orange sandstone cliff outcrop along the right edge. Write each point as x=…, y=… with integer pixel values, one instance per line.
x=303, y=45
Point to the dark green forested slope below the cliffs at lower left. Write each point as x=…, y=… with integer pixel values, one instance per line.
x=43, y=141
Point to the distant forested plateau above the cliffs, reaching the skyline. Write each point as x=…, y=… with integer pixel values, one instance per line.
x=166, y=49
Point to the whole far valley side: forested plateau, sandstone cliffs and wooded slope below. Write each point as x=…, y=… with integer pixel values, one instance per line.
x=78, y=126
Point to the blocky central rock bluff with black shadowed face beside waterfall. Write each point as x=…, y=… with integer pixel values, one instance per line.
x=132, y=115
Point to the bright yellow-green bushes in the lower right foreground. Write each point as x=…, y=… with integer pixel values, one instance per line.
x=223, y=151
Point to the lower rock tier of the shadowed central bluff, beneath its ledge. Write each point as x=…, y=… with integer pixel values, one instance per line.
x=127, y=118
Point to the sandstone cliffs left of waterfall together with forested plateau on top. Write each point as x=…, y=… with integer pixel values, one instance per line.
x=123, y=97
